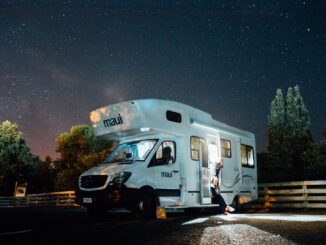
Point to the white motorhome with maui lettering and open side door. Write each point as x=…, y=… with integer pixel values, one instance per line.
x=138, y=176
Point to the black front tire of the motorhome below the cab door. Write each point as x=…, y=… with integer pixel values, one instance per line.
x=146, y=204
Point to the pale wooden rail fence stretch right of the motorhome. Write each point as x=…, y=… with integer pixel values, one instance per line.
x=298, y=194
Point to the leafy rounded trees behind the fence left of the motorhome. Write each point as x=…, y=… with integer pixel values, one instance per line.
x=79, y=150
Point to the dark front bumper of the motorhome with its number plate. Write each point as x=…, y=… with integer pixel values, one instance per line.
x=111, y=197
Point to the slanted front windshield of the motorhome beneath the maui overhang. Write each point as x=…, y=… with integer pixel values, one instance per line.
x=131, y=151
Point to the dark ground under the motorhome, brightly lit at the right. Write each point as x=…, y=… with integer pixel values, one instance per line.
x=43, y=226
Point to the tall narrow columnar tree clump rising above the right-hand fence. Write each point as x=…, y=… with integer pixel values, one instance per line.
x=289, y=135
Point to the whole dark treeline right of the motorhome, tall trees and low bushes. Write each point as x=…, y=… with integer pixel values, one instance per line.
x=292, y=153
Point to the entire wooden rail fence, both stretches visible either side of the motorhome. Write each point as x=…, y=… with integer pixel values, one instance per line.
x=298, y=194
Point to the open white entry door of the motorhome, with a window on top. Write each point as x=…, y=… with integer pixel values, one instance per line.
x=204, y=175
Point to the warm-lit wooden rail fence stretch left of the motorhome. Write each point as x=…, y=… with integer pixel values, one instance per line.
x=53, y=199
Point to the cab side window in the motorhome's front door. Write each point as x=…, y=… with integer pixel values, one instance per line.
x=165, y=154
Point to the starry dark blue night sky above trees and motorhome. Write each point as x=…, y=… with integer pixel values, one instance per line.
x=59, y=60
